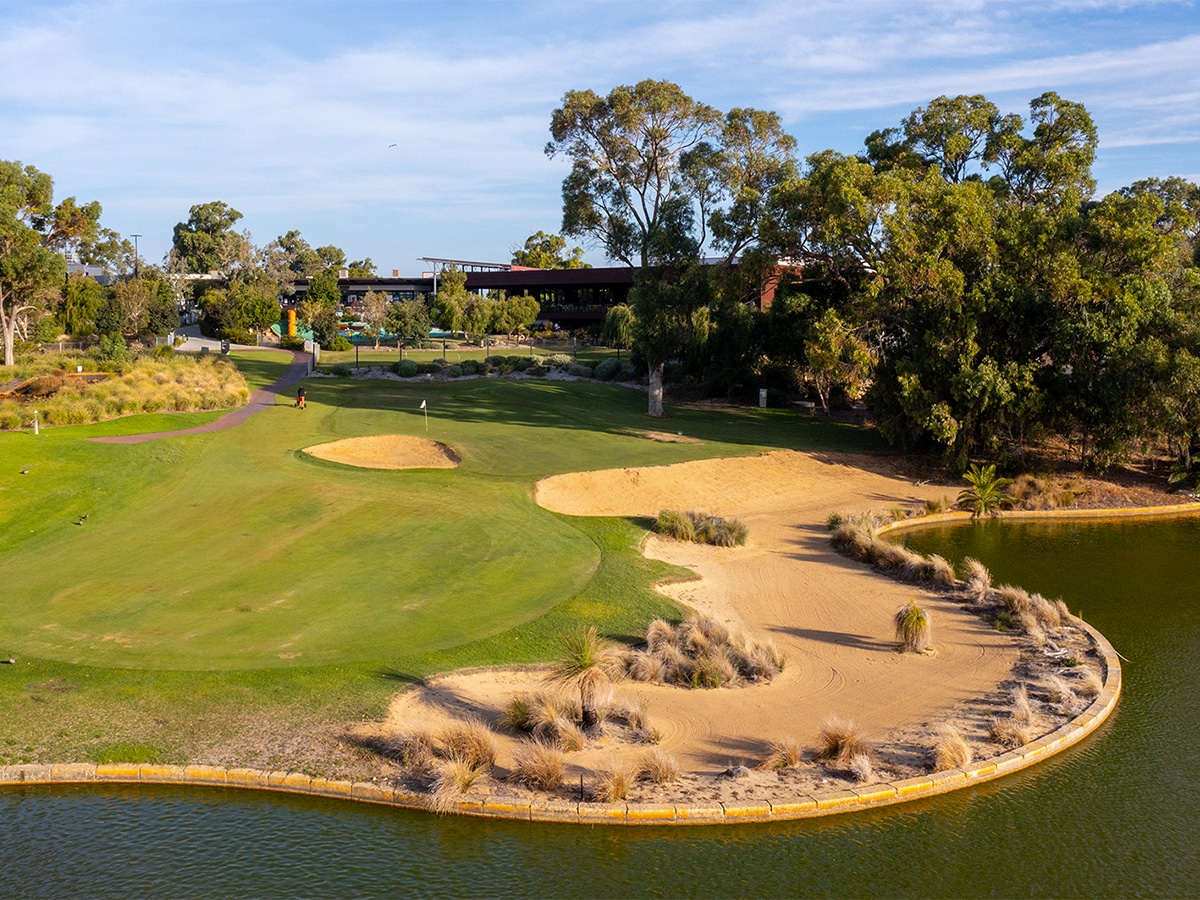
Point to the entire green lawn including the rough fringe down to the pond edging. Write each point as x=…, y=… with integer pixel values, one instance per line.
x=226, y=580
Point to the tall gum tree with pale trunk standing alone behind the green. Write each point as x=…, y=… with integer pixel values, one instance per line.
x=652, y=171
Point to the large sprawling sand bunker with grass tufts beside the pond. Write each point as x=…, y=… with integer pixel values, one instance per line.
x=830, y=616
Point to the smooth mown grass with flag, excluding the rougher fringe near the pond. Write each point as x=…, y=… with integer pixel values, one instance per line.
x=236, y=550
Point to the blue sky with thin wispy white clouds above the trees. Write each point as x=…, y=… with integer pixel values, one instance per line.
x=404, y=130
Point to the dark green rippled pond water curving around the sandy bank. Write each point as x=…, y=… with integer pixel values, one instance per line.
x=1115, y=817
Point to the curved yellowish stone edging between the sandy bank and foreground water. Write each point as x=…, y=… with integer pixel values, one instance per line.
x=796, y=807
